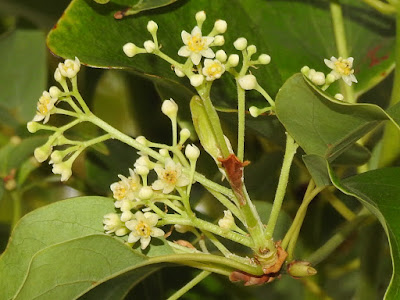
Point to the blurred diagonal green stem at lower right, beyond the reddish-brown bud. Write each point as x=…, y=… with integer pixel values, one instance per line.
x=344, y=231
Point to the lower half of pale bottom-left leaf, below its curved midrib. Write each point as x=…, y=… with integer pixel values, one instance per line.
x=68, y=269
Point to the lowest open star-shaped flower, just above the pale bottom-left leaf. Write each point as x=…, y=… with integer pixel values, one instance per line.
x=143, y=228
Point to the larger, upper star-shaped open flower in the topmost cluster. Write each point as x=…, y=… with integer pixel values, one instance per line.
x=196, y=46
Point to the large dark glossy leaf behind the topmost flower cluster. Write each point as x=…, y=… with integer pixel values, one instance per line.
x=269, y=24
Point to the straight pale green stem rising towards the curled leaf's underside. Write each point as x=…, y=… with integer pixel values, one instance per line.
x=291, y=148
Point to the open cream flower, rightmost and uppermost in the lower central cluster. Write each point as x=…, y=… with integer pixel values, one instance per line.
x=169, y=177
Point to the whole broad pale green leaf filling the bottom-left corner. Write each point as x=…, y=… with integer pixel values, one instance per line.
x=72, y=227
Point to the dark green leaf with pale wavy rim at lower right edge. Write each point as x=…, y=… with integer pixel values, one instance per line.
x=379, y=191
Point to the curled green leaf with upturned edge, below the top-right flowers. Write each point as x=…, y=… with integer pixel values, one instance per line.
x=321, y=125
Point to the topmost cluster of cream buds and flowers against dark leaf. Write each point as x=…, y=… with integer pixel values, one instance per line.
x=210, y=64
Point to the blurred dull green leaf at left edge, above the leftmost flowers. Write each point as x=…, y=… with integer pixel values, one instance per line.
x=23, y=74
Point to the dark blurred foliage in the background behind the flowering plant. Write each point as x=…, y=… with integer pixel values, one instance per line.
x=131, y=103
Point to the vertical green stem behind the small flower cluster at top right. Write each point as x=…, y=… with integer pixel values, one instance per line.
x=341, y=44
